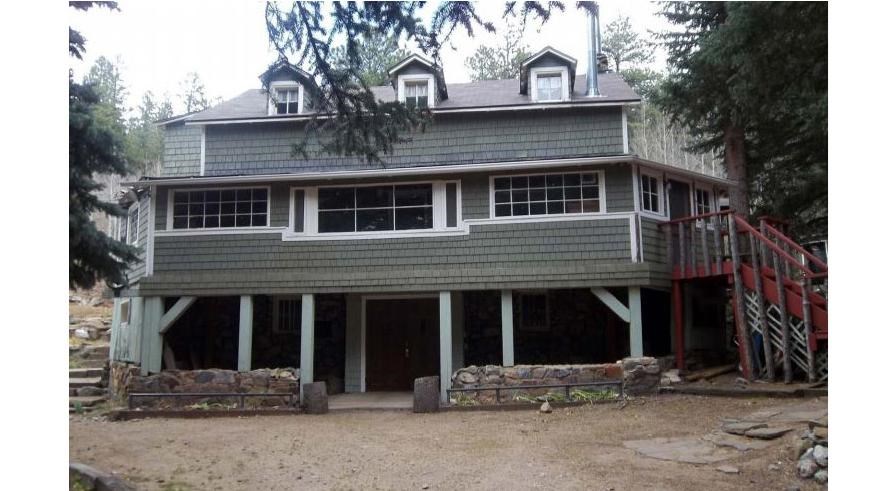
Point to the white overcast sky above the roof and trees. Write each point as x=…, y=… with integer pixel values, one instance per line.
x=160, y=41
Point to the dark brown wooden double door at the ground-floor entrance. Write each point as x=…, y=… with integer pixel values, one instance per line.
x=402, y=342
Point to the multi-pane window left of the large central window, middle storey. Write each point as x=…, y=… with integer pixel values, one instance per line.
x=220, y=208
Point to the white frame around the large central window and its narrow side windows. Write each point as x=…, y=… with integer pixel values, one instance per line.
x=311, y=214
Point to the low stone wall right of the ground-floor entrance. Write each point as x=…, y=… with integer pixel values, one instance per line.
x=638, y=375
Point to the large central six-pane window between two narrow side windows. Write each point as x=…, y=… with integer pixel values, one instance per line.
x=376, y=208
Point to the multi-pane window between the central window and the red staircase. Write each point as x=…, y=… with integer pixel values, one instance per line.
x=548, y=194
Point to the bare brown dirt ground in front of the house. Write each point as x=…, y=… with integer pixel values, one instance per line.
x=578, y=448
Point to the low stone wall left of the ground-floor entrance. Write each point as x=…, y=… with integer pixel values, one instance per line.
x=126, y=379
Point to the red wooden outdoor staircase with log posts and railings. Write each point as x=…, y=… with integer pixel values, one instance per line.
x=780, y=299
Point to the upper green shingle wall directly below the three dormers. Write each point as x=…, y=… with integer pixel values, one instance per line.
x=451, y=139
